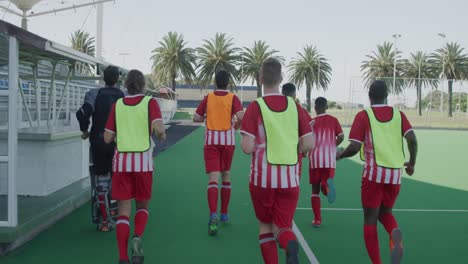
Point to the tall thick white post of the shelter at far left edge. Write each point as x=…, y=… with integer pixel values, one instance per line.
x=13, y=77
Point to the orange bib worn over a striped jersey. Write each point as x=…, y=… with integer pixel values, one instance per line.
x=219, y=112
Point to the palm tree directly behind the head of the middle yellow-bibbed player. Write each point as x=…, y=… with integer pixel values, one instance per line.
x=252, y=60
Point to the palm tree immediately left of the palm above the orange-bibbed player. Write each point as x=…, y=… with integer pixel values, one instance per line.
x=173, y=60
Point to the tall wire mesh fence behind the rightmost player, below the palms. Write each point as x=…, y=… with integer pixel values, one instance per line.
x=434, y=101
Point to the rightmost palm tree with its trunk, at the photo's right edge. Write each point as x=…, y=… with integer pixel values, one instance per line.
x=452, y=63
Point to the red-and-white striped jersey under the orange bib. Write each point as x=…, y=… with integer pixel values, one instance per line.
x=224, y=138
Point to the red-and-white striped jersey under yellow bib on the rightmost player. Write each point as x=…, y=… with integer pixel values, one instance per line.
x=361, y=132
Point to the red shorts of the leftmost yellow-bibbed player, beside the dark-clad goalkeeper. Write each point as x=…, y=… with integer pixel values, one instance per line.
x=132, y=185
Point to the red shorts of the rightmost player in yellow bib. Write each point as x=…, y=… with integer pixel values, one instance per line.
x=376, y=195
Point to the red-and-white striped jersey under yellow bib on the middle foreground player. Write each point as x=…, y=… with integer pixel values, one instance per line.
x=262, y=173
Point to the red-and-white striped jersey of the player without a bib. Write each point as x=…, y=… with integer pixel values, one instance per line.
x=326, y=128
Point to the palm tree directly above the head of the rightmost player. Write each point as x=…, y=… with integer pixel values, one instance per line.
x=379, y=66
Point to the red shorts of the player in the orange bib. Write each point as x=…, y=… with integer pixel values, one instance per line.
x=218, y=158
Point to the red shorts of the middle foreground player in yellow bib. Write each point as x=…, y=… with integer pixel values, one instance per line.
x=275, y=206
